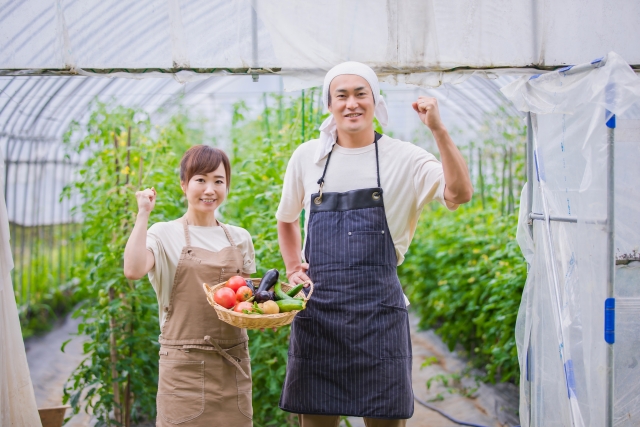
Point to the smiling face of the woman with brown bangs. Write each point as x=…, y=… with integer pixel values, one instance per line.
x=205, y=193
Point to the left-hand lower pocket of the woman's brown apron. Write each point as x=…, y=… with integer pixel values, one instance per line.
x=180, y=390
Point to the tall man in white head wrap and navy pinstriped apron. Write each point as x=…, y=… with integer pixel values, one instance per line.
x=350, y=350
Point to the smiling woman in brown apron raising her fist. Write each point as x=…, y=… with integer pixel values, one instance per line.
x=205, y=373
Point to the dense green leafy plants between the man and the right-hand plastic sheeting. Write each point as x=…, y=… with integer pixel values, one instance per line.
x=464, y=272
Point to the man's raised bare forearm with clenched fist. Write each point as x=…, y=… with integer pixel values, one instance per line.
x=458, y=188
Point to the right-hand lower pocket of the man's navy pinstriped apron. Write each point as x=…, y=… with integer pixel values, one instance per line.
x=393, y=324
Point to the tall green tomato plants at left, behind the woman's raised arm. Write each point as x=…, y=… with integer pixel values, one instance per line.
x=117, y=380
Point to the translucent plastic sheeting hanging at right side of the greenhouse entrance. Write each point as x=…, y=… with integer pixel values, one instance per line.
x=560, y=331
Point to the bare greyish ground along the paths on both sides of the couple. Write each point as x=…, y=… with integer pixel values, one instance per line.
x=489, y=405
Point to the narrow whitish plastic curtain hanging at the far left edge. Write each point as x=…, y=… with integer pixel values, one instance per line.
x=17, y=400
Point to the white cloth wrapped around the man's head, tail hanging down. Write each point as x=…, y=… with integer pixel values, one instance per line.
x=328, y=128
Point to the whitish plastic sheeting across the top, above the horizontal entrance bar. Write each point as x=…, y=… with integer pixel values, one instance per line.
x=417, y=37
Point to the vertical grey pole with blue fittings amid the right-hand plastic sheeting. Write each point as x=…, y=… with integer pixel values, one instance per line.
x=611, y=264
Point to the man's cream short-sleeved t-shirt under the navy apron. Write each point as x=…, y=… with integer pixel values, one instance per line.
x=410, y=177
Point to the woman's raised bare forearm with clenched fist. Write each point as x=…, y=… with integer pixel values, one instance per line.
x=138, y=261
